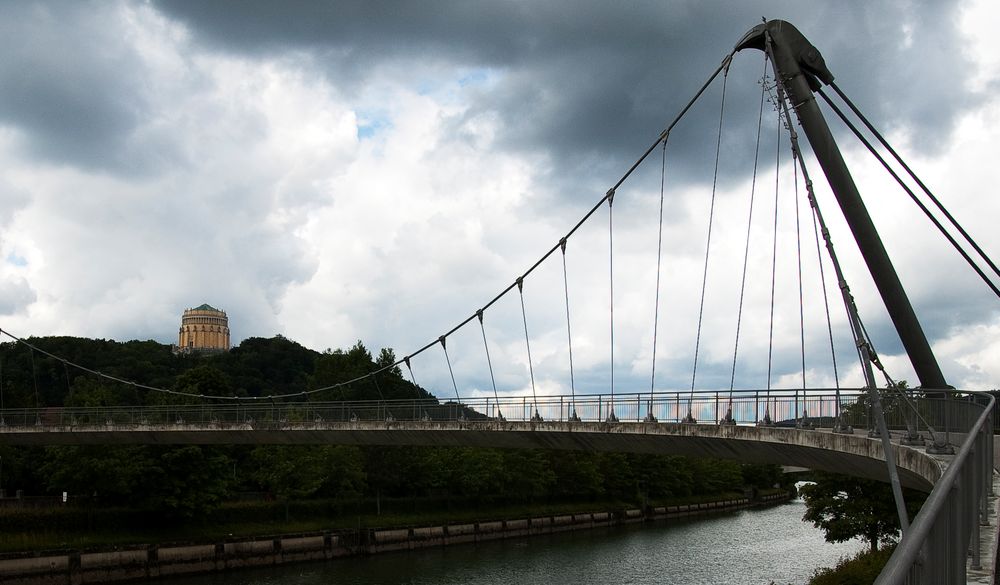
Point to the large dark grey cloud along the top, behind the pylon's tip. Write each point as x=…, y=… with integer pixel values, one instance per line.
x=590, y=84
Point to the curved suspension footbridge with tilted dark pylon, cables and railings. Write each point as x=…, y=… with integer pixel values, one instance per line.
x=935, y=438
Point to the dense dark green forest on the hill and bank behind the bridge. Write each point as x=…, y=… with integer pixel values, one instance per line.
x=187, y=481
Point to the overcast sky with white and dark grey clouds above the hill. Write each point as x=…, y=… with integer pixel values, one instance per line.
x=335, y=172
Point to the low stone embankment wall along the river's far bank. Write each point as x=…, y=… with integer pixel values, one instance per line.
x=151, y=561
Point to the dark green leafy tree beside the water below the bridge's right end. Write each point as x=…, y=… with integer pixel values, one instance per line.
x=849, y=507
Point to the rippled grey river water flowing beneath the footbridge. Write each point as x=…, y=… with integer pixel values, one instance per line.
x=753, y=546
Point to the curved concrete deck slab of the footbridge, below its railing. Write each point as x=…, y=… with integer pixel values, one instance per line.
x=854, y=454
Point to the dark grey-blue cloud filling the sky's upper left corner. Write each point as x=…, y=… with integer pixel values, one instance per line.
x=73, y=85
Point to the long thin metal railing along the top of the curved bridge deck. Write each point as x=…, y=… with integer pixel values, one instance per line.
x=815, y=408
